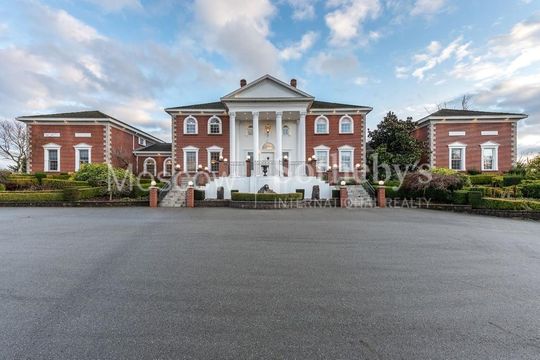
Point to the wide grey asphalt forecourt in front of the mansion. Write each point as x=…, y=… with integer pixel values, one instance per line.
x=239, y=284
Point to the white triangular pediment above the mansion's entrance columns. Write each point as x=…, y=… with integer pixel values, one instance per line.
x=267, y=87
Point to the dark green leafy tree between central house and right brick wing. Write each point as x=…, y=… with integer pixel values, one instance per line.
x=394, y=143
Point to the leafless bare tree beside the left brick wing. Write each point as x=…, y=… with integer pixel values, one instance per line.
x=13, y=144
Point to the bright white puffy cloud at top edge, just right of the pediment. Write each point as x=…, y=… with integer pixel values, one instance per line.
x=346, y=20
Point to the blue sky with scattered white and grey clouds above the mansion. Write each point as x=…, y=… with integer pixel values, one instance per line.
x=133, y=58
